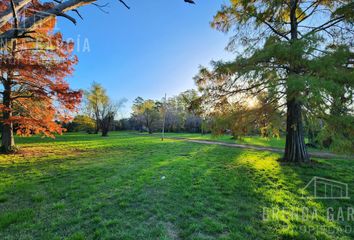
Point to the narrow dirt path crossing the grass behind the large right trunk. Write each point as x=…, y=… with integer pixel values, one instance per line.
x=254, y=147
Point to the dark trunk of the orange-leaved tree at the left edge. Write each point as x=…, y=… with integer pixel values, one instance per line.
x=7, y=139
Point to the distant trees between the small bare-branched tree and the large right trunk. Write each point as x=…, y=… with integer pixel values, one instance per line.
x=187, y=112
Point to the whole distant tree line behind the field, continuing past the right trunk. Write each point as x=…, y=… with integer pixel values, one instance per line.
x=190, y=112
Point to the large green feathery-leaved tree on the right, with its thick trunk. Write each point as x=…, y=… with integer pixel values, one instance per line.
x=281, y=43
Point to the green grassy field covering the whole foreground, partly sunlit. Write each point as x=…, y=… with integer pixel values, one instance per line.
x=82, y=186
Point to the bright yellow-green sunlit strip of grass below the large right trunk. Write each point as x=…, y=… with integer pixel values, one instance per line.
x=284, y=209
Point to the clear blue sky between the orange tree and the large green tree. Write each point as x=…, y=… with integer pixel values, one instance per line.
x=154, y=48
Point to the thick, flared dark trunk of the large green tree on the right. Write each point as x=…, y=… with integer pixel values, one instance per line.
x=295, y=148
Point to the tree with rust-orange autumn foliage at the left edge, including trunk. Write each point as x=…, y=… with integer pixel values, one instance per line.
x=36, y=98
